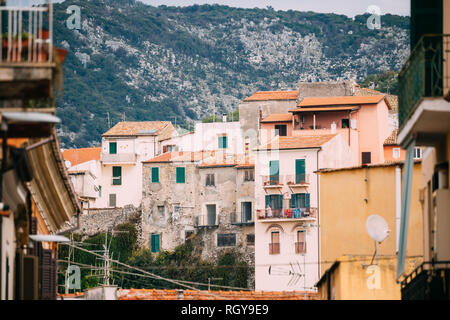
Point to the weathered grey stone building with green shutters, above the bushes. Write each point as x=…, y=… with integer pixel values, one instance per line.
x=205, y=193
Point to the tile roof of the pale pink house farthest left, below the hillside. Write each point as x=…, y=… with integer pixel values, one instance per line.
x=137, y=128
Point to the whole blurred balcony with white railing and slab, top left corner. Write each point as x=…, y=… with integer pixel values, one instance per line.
x=26, y=51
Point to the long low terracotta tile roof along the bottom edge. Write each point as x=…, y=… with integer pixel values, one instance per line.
x=155, y=294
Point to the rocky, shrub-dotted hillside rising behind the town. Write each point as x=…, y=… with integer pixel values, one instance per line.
x=137, y=62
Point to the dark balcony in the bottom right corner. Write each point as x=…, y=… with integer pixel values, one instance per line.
x=430, y=281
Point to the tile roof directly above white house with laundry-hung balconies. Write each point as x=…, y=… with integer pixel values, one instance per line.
x=296, y=142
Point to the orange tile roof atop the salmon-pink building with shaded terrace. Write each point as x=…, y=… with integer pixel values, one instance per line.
x=339, y=101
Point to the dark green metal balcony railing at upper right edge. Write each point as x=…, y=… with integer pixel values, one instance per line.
x=425, y=74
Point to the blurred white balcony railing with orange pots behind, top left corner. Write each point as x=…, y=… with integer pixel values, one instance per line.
x=23, y=38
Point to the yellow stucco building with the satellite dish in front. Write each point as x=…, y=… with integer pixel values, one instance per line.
x=348, y=196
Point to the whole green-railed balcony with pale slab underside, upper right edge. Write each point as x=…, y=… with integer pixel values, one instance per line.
x=424, y=108
